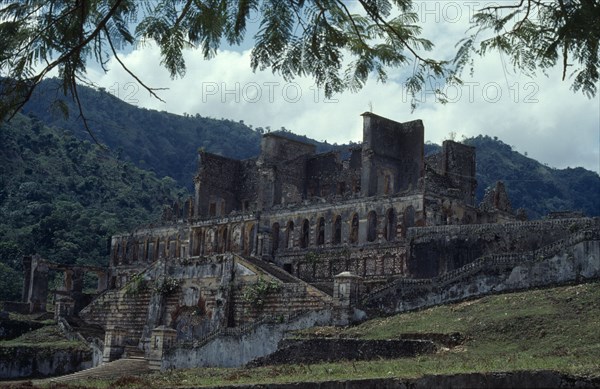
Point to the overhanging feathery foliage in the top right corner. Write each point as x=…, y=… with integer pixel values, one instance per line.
x=540, y=35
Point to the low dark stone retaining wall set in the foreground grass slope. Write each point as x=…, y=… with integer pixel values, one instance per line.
x=329, y=350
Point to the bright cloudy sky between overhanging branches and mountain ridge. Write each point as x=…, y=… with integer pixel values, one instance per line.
x=540, y=115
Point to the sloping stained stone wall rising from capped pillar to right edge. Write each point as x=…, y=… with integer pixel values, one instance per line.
x=574, y=259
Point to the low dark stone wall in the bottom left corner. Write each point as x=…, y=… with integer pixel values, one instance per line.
x=28, y=362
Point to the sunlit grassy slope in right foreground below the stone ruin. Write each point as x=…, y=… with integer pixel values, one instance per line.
x=545, y=329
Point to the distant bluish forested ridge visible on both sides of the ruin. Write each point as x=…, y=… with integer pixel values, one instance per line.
x=167, y=144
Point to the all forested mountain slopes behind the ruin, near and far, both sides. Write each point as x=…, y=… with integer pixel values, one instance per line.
x=63, y=196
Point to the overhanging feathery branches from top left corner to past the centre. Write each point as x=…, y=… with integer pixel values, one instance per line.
x=324, y=40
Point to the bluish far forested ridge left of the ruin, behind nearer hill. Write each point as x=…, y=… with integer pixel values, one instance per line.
x=164, y=143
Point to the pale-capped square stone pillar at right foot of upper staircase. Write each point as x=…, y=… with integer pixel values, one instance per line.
x=346, y=297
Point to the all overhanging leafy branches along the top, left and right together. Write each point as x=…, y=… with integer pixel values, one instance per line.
x=336, y=42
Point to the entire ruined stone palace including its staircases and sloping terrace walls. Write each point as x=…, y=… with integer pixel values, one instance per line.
x=293, y=238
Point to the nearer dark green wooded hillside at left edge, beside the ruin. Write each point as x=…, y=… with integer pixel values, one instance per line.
x=63, y=198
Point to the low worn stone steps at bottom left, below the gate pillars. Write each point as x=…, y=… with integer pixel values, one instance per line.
x=111, y=370
